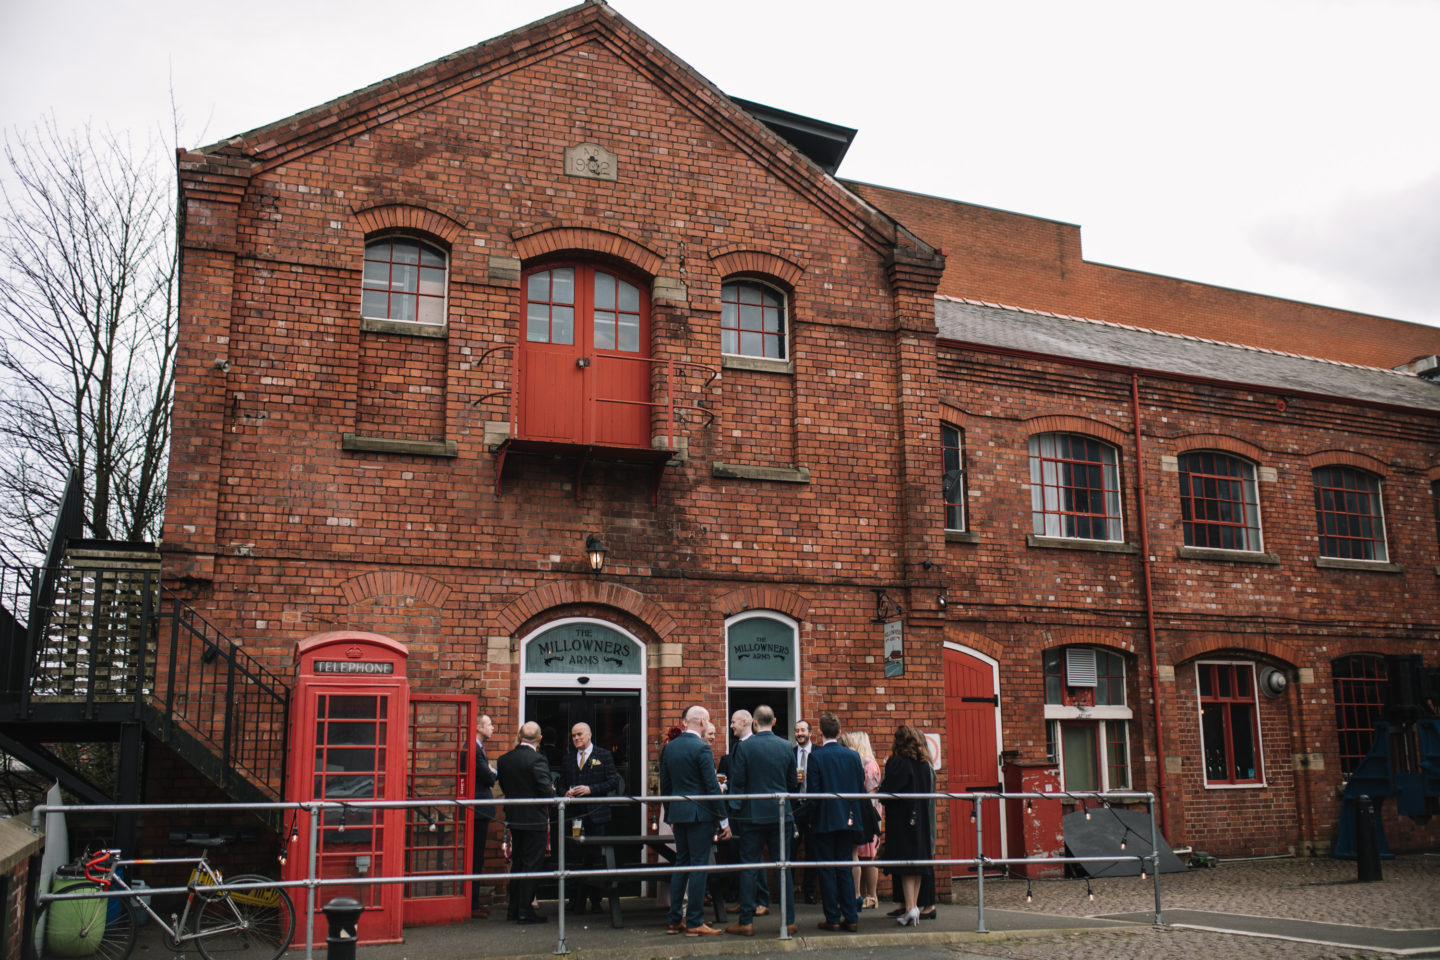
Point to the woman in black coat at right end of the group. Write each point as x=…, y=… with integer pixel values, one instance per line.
x=909, y=824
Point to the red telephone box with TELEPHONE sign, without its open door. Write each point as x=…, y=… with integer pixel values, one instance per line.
x=351, y=713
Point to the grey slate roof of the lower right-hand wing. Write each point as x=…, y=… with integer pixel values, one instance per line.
x=1134, y=348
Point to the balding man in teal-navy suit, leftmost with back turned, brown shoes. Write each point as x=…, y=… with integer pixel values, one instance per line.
x=688, y=768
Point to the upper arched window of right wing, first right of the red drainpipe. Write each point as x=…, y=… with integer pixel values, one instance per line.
x=1220, y=507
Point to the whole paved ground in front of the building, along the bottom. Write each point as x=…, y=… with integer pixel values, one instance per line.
x=1287, y=896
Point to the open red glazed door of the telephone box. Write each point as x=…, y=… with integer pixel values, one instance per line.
x=438, y=838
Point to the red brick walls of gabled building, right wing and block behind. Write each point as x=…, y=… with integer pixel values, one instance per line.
x=332, y=474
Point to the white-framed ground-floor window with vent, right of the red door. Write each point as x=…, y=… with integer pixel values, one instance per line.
x=1088, y=719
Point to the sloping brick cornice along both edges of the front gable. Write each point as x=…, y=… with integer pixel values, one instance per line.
x=594, y=21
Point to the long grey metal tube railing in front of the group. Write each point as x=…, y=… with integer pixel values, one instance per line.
x=315, y=811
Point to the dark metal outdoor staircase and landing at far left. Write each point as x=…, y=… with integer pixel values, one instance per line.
x=96, y=651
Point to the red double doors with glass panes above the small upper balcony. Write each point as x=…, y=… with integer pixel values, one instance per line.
x=584, y=366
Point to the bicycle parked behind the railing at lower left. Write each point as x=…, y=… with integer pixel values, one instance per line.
x=258, y=922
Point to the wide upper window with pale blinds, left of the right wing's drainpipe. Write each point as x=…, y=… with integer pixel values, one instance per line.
x=1075, y=487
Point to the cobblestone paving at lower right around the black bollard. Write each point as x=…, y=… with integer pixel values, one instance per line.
x=1320, y=890
